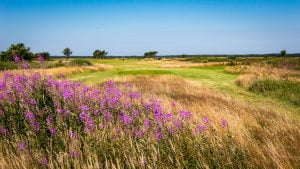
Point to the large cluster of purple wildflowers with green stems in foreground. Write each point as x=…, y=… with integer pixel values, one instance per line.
x=53, y=111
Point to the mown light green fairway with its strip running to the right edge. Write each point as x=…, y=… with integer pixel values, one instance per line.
x=208, y=75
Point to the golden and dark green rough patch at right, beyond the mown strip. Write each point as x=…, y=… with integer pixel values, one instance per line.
x=276, y=83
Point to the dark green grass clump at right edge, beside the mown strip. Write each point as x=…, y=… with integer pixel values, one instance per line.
x=281, y=89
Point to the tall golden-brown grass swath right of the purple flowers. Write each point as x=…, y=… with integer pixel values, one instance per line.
x=263, y=131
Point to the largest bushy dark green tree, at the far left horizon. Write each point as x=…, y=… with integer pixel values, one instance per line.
x=19, y=50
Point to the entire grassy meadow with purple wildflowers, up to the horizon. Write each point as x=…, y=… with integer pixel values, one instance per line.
x=148, y=113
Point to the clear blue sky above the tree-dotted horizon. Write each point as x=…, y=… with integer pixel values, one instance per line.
x=131, y=27
